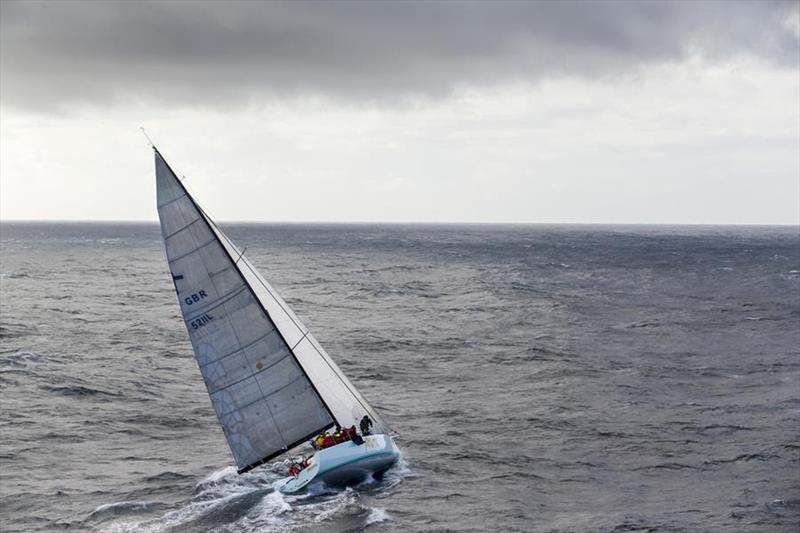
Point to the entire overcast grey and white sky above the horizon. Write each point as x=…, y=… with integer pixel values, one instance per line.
x=674, y=112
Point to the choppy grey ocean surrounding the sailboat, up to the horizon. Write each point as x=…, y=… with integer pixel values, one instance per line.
x=540, y=378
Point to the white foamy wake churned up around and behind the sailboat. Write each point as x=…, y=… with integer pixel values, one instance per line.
x=225, y=501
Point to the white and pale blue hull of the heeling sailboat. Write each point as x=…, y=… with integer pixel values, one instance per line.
x=345, y=464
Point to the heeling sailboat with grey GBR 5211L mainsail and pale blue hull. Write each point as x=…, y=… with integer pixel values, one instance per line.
x=272, y=386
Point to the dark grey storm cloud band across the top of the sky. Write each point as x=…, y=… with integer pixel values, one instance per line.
x=209, y=53
